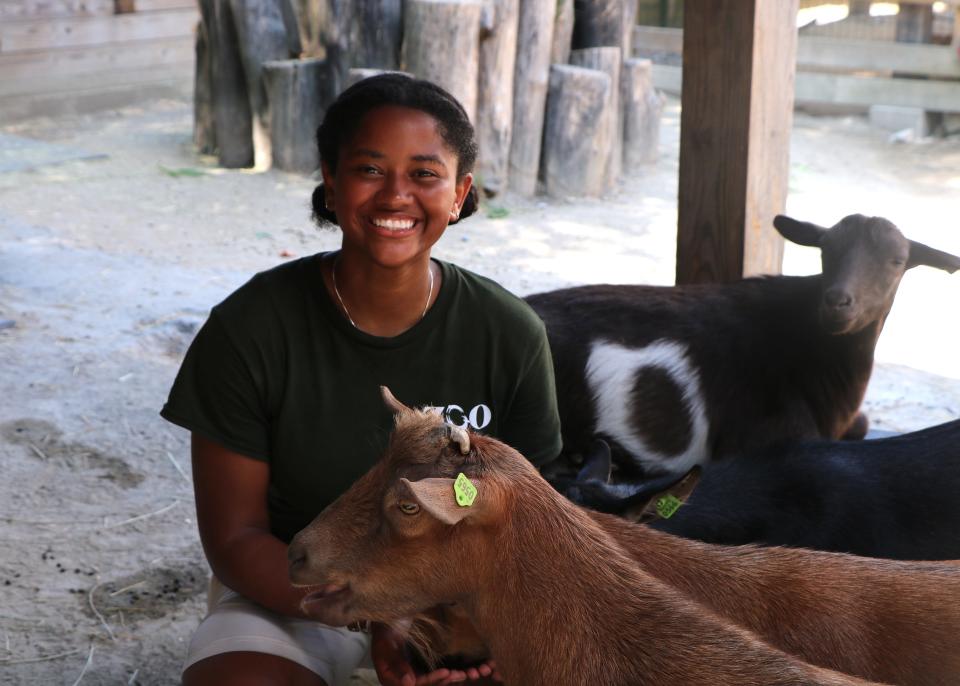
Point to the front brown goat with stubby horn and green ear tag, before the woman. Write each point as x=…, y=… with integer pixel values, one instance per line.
x=554, y=596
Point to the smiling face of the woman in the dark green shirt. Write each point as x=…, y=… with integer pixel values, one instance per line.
x=395, y=187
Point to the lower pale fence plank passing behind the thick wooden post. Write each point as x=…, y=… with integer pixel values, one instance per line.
x=936, y=96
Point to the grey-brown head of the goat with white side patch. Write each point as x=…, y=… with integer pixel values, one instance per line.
x=864, y=259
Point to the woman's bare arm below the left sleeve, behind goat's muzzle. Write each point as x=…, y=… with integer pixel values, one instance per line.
x=231, y=497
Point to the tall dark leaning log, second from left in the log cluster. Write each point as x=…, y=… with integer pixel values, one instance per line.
x=232, y=116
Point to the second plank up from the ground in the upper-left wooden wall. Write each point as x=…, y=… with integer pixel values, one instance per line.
x=27, y=66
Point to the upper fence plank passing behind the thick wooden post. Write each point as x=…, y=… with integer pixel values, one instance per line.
x=814, y=52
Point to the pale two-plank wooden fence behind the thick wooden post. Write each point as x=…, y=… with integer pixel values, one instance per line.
x=843, y=72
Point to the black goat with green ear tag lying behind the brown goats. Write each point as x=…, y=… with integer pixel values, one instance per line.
x=888, y=497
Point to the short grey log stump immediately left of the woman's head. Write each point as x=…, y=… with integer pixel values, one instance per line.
x=299, y=91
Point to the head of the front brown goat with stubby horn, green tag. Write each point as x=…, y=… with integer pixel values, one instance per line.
x=397, y=543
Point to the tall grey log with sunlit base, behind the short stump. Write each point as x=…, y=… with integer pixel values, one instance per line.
x=262, y=35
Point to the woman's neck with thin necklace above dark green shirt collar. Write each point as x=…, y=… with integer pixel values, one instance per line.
x=381, y=301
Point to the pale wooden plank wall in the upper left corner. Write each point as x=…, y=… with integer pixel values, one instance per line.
x=74, y=55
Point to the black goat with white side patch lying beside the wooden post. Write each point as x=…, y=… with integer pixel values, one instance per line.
x=677, y=376
